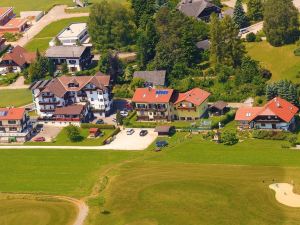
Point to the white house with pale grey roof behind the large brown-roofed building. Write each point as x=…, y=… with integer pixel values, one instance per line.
x=77, y=58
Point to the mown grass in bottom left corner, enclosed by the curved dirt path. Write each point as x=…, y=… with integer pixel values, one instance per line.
x=21, y=211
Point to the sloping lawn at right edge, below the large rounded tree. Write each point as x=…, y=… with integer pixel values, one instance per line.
x=280, y=60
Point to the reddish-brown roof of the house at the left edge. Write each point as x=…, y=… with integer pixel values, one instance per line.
x=20, y=56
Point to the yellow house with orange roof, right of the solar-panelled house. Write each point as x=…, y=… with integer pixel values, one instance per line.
x=191, y=105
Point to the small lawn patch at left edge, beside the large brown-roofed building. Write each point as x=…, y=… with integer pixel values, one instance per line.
x=17, y=97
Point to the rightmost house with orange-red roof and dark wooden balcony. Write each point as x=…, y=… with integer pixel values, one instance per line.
x=276, y=114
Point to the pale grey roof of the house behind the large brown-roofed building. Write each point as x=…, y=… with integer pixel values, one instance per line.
x=65, y=51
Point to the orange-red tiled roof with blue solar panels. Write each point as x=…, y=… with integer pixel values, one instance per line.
x=151, y=95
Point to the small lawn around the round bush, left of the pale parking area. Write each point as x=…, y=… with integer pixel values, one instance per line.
x=63, y=140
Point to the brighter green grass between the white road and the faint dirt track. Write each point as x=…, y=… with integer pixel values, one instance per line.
x=63, y=172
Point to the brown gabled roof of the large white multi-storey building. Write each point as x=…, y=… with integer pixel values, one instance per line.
x=59, y=86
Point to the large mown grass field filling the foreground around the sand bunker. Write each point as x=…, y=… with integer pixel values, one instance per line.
x=190, y=182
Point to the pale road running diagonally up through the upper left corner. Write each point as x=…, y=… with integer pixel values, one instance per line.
x=55, y=14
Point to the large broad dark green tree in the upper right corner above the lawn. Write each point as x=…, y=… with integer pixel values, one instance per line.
x=281, y=24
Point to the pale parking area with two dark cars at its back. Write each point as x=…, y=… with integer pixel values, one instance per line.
x=133, y=141
